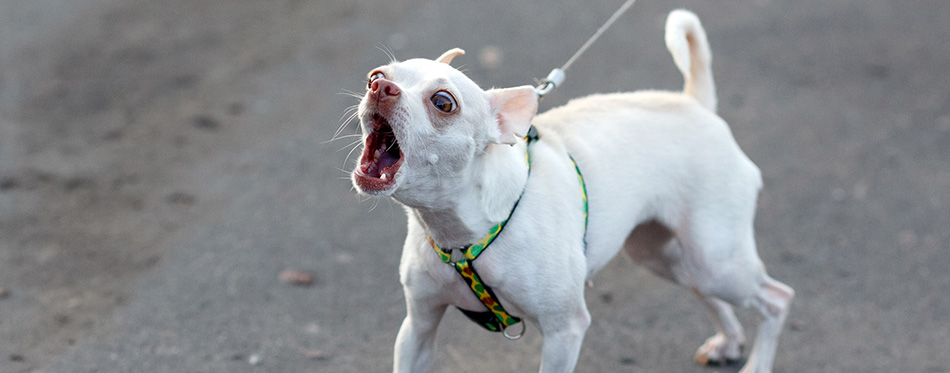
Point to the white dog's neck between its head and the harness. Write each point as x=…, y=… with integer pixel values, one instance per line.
x=479, y=199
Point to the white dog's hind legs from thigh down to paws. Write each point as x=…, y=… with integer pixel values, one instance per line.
x=720, y=262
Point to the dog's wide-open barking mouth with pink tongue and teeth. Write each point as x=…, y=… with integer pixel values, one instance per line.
x=381, y=157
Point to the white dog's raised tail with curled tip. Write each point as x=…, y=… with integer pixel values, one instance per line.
x=686, y=40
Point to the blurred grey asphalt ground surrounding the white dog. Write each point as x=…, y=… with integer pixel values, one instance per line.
x=163, y=162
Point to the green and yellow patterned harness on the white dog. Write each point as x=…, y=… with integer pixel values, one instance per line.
x=496, y=319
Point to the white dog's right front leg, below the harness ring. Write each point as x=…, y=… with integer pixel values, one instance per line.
x=562, y=341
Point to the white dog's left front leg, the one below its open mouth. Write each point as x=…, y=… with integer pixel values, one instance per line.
x=415, y=343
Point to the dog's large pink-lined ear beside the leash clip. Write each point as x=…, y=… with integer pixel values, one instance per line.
x=514, y=108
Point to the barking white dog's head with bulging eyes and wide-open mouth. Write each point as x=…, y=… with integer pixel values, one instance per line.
x=425, y=124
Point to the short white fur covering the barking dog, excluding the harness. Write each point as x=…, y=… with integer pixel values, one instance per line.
x=667, y=183
